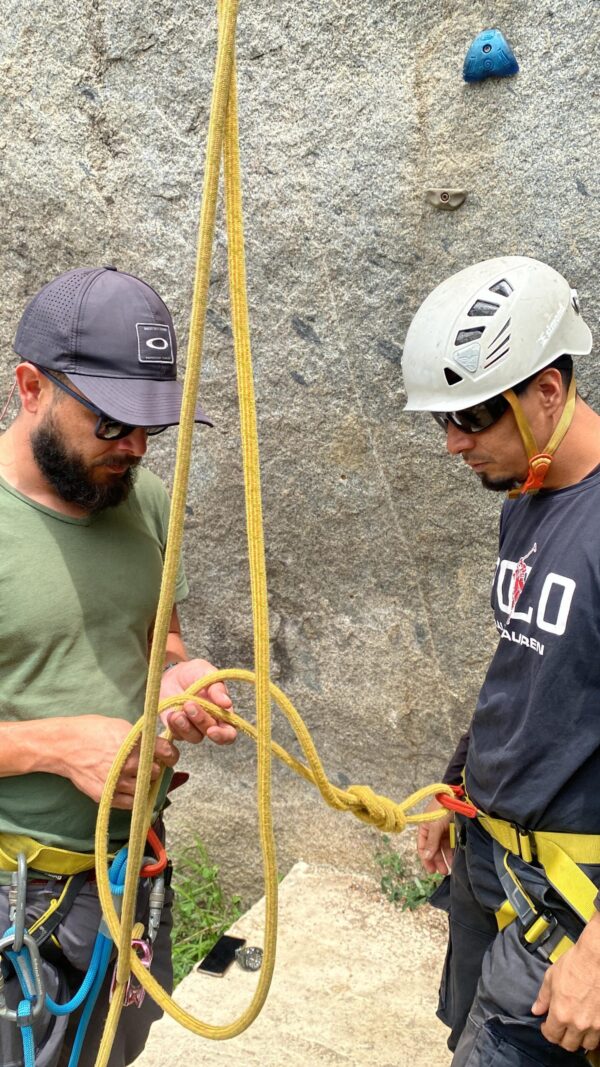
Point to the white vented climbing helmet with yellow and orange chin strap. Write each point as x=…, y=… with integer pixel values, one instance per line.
x=488, y=328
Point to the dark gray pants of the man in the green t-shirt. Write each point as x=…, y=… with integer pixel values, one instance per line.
x=55, y=1036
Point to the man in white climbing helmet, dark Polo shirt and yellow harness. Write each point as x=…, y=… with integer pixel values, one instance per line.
x=490, y=355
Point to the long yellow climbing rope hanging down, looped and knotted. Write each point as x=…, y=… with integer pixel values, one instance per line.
x=223, y=142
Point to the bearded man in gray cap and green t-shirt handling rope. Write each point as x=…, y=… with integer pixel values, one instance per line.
x=84, y=531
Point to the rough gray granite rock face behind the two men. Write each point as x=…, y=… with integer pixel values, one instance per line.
x=381, y=549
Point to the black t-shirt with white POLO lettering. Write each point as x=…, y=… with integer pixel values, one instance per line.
x=534, y=751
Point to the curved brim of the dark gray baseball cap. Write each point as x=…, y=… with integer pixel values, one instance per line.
x=139, y=402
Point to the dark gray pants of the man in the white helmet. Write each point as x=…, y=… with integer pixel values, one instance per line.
x=491, y=980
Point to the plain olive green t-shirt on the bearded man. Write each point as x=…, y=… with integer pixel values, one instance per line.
x=78, y=602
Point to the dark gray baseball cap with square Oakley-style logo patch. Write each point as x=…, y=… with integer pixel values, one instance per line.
x=114, y=338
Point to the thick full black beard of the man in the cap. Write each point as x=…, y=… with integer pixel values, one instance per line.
x=72, y=479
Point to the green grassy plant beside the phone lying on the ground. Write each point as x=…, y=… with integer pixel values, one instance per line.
x=202, y=912
